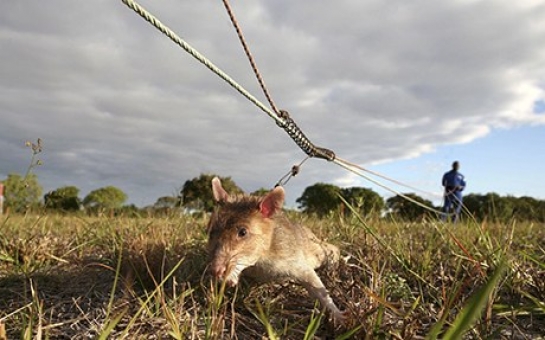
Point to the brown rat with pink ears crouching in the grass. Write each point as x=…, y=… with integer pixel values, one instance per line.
x=251, y=234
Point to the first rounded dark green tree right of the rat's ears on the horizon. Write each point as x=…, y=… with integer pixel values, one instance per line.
x=320, y=199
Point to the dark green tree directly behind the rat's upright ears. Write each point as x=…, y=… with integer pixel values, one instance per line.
x=197, y=193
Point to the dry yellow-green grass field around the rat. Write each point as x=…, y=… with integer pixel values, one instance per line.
x=145, y=278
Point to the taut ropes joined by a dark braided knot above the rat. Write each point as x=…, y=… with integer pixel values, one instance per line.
x=282, y=117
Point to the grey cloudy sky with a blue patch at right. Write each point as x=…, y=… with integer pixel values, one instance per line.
x=401, y=88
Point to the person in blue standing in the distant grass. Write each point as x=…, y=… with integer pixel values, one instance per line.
x=454, y=183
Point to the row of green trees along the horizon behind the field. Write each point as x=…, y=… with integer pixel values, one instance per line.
x=321, y=199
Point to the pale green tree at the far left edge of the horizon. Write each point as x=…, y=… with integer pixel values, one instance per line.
x=22, y=193
